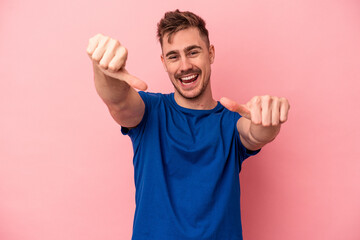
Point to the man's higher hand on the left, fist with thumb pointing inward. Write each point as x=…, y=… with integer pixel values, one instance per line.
x=110, y=57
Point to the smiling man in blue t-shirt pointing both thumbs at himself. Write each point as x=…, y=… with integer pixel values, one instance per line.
x=188, y=148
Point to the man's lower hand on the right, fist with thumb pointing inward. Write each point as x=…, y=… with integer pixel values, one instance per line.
x=261, y=110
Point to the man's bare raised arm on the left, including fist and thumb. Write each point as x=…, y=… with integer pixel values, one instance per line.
x=113, y=83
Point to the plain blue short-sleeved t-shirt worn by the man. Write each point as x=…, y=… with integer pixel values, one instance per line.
x=186, y=170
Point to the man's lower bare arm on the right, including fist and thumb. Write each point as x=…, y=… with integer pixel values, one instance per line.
x=261, y=121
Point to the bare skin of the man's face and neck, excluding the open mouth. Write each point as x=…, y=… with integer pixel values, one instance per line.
x=187, y=54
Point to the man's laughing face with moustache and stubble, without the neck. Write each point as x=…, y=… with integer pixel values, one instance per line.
x=187, y=60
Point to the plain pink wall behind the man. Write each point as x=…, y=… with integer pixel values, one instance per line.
x=66, y=171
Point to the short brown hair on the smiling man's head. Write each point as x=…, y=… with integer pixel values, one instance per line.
x=175, y=21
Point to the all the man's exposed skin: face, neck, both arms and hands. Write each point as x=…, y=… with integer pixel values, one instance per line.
x=186, y=54
